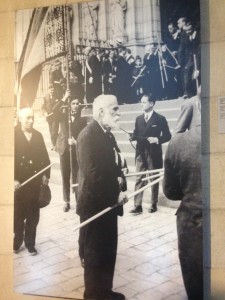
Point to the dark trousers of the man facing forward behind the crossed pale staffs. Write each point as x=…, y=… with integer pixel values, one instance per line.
x=143, y=163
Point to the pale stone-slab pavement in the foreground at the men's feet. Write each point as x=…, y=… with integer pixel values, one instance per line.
x=147, y=262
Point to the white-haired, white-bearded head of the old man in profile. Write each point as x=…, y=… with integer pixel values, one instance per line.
x=105, y=111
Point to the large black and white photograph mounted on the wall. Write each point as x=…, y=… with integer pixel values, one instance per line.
x=107, y=168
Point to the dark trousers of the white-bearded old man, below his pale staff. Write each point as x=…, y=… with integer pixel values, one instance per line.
x=100, y=247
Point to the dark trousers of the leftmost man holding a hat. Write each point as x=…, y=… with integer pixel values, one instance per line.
x=26, y=218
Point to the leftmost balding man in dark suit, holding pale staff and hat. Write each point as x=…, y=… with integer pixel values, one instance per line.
x=31, y=157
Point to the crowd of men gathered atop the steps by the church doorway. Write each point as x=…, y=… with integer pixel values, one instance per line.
x=168, y=69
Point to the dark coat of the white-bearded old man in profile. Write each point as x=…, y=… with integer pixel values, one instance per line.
x=98, y=171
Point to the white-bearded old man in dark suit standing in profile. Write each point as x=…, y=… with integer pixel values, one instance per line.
x=100, y=183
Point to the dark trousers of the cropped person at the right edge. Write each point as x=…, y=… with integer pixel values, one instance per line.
x=190, y=245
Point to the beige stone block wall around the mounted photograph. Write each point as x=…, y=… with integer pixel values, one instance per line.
x=213, y=86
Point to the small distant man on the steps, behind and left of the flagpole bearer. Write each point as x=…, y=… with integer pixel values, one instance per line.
x=53, y=124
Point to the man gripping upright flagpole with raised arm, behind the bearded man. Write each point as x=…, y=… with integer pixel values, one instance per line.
x=64, y=140
